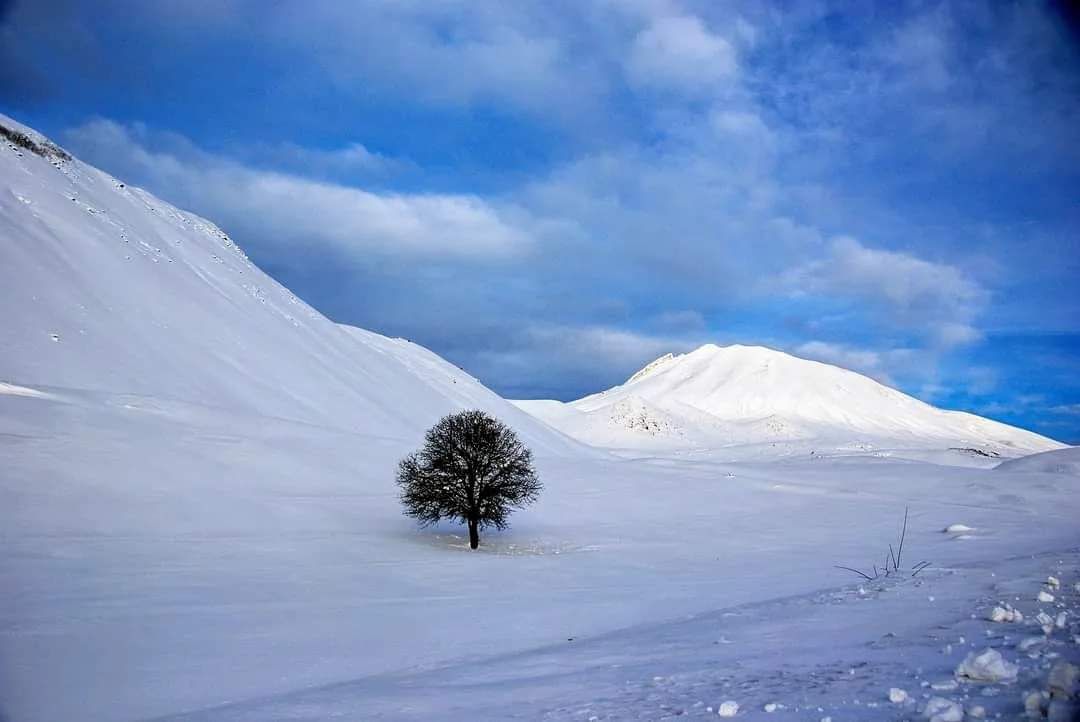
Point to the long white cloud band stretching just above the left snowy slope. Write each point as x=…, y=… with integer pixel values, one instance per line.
x=287, y=210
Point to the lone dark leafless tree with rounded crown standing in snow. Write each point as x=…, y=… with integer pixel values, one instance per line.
x=472, y=468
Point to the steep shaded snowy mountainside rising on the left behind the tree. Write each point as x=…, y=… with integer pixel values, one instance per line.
x=117, y=292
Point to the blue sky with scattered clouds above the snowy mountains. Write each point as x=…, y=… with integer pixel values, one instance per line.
x=553, y=194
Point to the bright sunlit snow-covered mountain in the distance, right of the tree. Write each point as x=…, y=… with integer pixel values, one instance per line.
x=738, y=396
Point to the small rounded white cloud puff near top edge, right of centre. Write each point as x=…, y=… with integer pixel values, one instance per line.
x=681, y=53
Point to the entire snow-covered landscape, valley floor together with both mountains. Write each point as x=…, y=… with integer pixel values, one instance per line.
x=199, y=520
